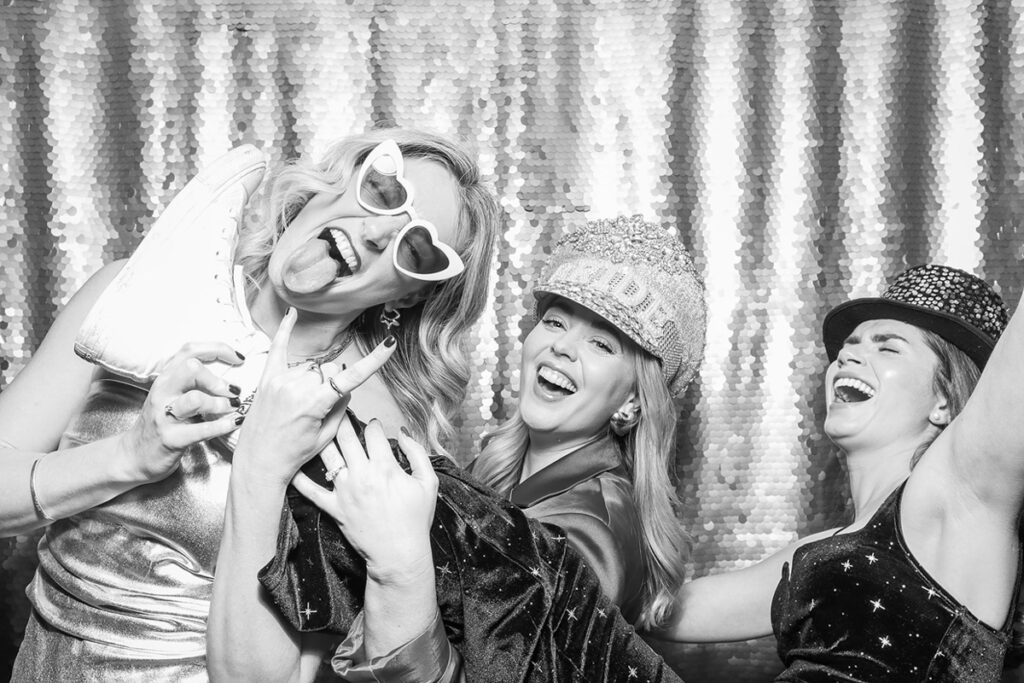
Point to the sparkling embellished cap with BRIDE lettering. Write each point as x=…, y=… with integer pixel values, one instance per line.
x=639, y=278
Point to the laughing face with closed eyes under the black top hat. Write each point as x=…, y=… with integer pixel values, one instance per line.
x=880, y=391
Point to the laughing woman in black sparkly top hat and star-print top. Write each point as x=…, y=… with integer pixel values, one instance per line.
x=924, y=402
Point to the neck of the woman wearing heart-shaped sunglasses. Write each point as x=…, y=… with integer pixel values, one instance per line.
x=314, y=333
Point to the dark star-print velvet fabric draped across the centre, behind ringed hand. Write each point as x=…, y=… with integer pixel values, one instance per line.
x=517, y=600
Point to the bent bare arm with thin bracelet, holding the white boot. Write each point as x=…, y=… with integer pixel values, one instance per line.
x=42, y=400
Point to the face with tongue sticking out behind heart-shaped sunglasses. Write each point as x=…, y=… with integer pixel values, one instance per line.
x=336, y=258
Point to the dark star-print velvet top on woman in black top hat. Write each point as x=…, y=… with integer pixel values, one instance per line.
x=859, y=608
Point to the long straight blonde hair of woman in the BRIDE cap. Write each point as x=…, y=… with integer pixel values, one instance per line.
x=649, y=453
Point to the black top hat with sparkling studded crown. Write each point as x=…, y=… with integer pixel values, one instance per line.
x=960, y=308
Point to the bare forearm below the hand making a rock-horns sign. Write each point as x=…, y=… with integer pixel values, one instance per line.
x=245, y=639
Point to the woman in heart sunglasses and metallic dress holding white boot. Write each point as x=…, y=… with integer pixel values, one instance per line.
x=126, y=452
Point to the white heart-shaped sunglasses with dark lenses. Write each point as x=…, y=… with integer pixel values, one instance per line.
x=382, y=189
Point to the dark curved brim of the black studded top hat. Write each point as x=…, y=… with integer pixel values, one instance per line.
x=844, y=319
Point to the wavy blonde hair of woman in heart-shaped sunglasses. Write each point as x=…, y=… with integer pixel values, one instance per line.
x=430, y=372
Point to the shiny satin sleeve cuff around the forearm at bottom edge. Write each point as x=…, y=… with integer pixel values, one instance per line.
x=429, y=658
